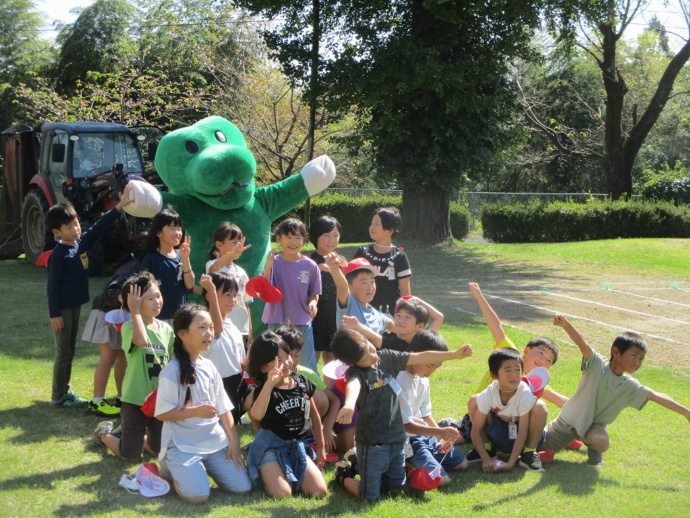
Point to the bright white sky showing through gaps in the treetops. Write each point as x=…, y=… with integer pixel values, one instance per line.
x=59, y=10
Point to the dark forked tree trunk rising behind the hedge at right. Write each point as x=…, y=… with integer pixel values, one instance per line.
x=625, y=127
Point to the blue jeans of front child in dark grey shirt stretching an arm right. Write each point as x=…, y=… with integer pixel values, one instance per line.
x=380, y=466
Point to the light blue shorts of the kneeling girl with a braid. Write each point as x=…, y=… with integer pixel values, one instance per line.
x=191, y=471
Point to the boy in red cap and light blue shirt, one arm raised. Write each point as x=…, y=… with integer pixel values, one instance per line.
x=356, y=285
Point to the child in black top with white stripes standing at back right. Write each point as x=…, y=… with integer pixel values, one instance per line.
x=393, y=267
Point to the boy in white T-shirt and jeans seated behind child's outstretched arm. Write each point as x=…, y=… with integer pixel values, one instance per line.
x=431, y=446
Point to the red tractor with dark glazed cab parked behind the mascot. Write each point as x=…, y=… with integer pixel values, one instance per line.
x=85, y=163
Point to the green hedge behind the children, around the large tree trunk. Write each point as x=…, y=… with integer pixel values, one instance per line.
x=354, y=214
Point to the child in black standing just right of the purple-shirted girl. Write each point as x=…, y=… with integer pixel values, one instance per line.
x=324, y=233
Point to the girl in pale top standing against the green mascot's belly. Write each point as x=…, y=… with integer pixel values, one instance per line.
x=228, y=245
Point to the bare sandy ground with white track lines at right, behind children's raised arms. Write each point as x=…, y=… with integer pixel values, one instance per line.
x=656, y=308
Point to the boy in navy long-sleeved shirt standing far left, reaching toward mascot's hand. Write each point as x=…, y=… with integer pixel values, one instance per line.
x=68, y=288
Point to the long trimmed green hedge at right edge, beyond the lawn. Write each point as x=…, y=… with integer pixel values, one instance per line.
x=566, y=221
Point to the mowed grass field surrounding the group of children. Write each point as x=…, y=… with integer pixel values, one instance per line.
x=51, y=465
